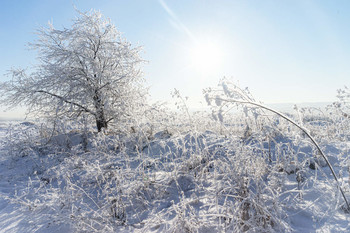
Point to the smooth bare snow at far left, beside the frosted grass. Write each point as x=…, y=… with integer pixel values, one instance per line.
x=14, y=177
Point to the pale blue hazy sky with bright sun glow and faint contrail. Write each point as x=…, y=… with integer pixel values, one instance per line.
x=284, y=51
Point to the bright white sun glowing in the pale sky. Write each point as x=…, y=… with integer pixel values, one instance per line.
x=206, y=56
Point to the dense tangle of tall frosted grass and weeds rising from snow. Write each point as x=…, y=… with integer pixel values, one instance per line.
x=244, y=172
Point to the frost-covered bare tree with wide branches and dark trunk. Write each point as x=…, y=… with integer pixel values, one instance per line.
x=86, y=69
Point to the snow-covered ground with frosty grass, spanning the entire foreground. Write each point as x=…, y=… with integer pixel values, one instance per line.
x=168, y=182
